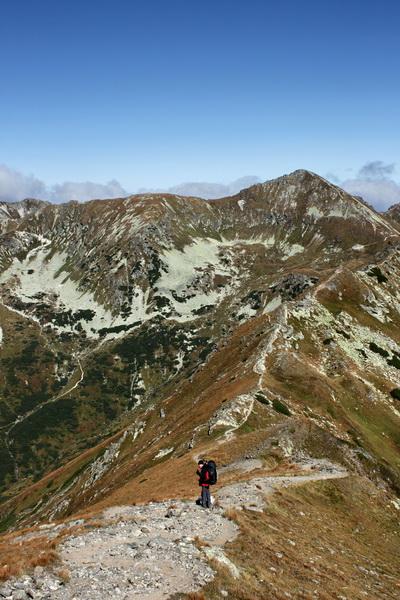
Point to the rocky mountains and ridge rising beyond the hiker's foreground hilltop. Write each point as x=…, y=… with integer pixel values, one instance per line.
x=135, y=330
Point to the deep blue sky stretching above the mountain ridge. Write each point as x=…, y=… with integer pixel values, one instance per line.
x=100, y=98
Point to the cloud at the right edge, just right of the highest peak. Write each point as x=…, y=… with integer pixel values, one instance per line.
x=374, y=185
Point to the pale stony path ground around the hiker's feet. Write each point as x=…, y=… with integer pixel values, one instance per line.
x=150, y=551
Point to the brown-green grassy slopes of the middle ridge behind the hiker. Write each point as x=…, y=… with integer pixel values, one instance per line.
x=321, y=384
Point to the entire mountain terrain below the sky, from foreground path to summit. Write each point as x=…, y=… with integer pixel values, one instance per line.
x=140, y=335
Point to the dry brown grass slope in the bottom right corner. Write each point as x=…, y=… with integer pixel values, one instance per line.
x=326, y=539
